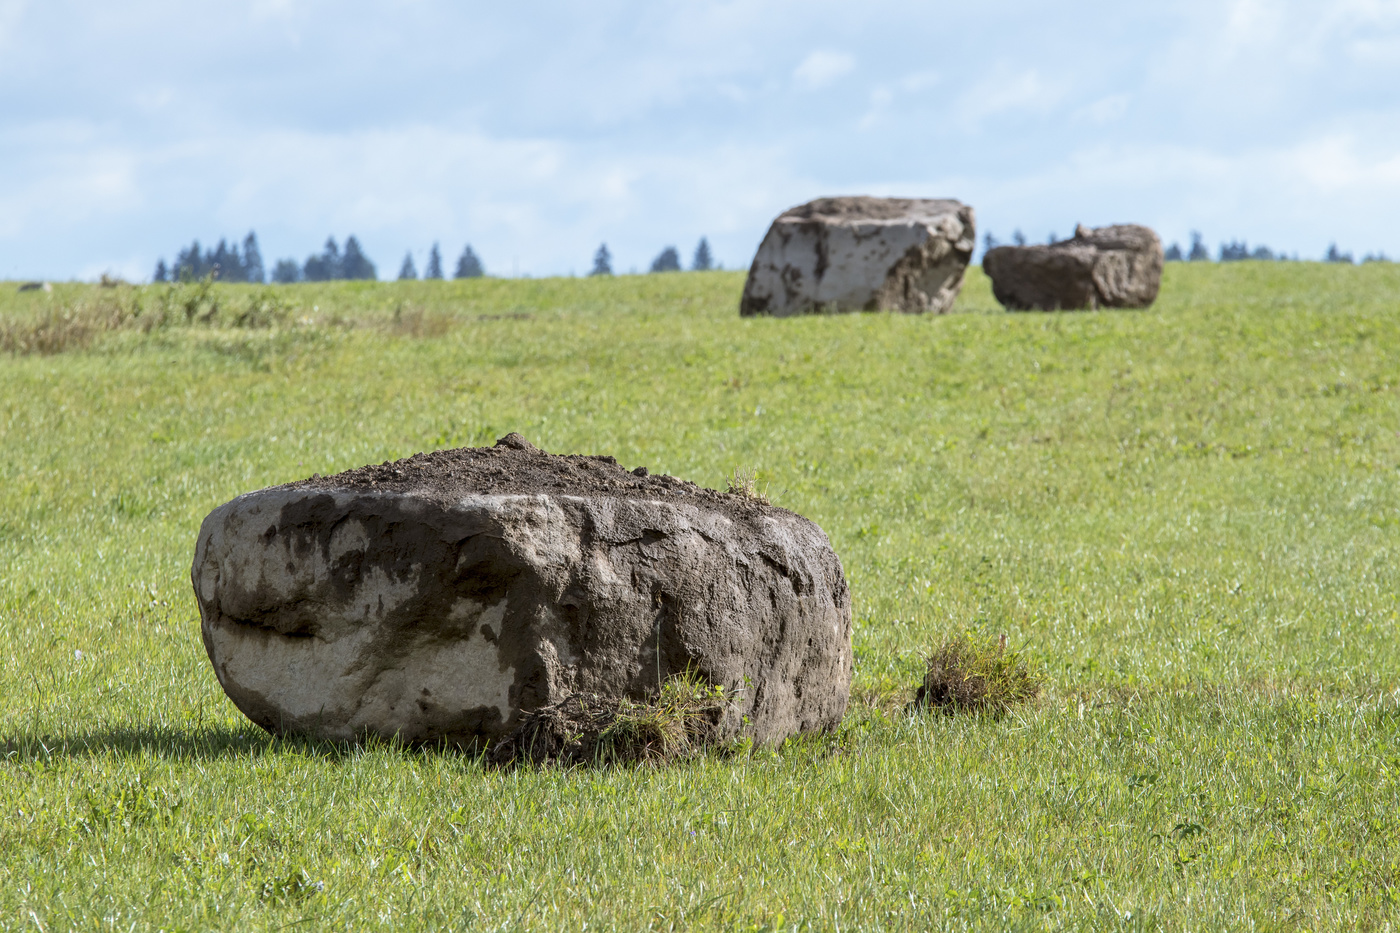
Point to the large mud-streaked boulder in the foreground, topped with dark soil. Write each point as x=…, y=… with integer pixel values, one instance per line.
x=442, y=597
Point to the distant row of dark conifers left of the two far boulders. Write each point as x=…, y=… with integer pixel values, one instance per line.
x=230, y=264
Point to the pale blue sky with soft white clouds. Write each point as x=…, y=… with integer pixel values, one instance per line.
x=535, y=131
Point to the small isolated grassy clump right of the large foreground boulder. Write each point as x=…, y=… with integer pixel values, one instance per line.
x=968, y=676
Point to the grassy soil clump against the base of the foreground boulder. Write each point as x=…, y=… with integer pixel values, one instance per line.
x=593, y=731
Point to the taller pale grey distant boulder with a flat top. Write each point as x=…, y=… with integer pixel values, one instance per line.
x=862, y=254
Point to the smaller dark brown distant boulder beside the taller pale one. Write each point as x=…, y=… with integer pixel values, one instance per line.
x=1107, y=268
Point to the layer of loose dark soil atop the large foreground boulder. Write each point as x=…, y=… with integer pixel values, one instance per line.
x=517, y=467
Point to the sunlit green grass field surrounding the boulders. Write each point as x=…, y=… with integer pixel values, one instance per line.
x=1189, y=516
